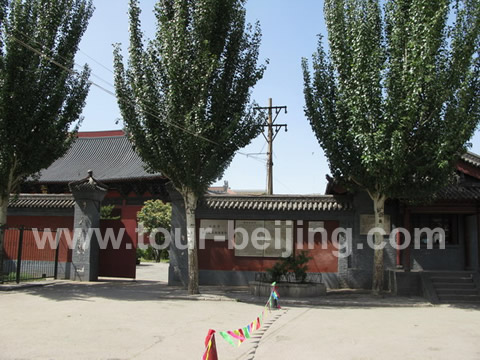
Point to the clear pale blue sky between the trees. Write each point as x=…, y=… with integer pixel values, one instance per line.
x=289, y=33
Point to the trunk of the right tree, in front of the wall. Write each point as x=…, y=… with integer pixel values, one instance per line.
x=378, y=267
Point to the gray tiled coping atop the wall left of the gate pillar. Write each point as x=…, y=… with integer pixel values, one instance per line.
x=47, y=201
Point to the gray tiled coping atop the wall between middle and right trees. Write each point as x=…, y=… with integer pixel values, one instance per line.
x=277, y=203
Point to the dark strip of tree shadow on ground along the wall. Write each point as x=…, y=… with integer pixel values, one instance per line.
x=152, y=290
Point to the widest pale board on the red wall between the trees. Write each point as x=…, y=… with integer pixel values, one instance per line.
x=263, y=238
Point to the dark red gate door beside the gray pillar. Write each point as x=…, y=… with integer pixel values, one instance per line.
x=118, y=257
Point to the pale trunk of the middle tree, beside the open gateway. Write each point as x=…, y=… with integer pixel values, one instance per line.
x=190, y=207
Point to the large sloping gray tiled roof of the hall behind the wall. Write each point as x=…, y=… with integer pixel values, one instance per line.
x=111, y=158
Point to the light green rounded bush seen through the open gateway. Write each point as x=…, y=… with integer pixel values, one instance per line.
x=155, y=214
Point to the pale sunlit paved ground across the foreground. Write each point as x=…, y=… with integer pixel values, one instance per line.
x=147, y=320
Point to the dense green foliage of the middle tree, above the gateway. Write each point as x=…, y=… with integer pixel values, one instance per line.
x=185, y=95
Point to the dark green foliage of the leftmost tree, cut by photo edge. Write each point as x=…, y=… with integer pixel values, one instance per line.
x=39, y=100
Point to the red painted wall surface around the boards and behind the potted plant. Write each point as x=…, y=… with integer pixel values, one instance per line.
x=217, y=255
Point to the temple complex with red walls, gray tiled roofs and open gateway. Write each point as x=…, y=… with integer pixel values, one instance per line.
x=331, y=228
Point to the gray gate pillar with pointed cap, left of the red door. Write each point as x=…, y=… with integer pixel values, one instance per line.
x=88, y=194
